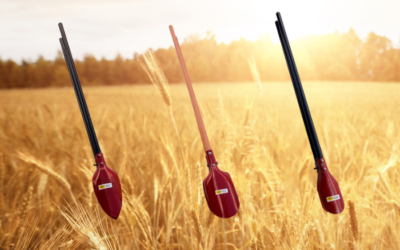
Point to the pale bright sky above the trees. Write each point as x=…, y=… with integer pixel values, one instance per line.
x=106, y=28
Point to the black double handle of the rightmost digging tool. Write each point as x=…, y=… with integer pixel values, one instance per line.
x=301, y=98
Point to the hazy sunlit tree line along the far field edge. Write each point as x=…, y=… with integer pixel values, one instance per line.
x=336, y=56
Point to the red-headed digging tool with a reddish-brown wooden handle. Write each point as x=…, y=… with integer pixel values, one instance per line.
x=218, y=187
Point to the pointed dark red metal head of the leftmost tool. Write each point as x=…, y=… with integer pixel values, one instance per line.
x=107, y=188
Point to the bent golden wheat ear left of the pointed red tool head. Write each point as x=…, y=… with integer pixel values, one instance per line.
x=47, y=170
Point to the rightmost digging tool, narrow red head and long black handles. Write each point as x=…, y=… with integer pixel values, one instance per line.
x=328, y=188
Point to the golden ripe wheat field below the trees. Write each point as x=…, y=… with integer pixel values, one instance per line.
x=47, y=201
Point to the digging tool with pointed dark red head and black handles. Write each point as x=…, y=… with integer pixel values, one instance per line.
x=106, y=184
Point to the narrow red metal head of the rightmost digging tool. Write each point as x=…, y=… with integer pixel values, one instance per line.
x=328, y=189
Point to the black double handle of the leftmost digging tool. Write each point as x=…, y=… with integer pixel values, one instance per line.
x=78, y=91
